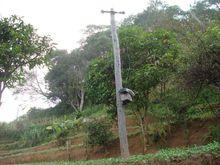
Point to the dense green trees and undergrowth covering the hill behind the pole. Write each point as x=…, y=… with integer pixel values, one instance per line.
x=170, y=59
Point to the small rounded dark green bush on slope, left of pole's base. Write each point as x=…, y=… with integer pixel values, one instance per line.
x=98, y=133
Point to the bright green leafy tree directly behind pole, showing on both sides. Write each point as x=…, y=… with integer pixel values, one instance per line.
x=148, y=60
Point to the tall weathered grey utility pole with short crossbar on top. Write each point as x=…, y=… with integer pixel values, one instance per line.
x=118, y=82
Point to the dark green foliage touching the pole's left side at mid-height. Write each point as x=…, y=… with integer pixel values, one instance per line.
x=100, y=81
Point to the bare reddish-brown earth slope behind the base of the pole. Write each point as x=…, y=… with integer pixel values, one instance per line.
x=76, y=151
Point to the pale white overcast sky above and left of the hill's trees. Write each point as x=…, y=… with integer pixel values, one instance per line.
x=63, y=21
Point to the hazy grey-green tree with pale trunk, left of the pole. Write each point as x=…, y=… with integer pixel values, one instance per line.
x=66, y=76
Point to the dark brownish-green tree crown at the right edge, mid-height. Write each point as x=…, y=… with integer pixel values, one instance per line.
x=204, y=63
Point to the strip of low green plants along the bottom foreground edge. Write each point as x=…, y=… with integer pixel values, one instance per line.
x=164, y=155
